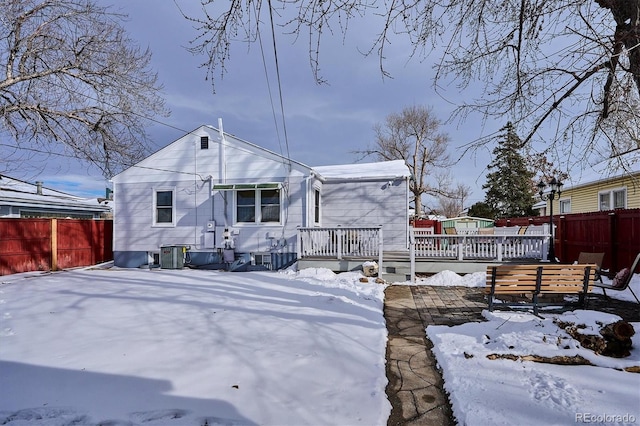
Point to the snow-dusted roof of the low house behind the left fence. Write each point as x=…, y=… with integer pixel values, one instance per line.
x=17, y=192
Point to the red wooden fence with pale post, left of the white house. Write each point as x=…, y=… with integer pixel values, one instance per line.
x=52, y=244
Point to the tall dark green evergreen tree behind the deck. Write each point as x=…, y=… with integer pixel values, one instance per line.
x=510, y=192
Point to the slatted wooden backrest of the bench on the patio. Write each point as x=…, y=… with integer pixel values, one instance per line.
x=551, y=278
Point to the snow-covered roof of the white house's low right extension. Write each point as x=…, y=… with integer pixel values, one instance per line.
x=361, y=171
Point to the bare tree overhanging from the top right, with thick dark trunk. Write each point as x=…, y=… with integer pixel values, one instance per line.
x=568, y=71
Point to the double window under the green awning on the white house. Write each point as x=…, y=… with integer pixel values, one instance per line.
x=258, y=206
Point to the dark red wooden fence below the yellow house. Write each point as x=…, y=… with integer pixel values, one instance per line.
x=616, y=233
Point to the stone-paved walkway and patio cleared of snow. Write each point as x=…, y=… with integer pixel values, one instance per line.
x=415, y=382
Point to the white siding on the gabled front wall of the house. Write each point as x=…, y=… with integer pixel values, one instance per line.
x=184, y=168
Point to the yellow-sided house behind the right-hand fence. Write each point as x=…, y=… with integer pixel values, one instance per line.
x=592, y=193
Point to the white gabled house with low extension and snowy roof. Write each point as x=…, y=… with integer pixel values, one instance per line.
x=210, y=190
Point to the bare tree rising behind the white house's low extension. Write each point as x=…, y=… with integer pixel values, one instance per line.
x=414, y=136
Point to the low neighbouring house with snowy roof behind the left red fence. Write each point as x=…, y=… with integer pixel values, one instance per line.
x=20, y=199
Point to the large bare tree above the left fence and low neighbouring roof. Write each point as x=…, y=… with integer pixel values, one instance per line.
x=72, y=82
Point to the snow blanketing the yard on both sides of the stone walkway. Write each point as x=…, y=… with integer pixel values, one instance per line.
x=185, y=347
